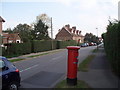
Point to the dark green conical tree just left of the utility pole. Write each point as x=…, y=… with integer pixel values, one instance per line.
x=40, y=31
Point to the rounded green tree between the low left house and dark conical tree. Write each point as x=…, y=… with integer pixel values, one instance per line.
x=24, y=31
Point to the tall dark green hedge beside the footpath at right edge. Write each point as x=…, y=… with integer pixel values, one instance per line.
x=112, y=45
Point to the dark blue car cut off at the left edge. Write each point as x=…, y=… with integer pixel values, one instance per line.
x=9, y=75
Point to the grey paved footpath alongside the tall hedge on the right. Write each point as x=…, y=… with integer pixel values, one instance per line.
x=100, y=74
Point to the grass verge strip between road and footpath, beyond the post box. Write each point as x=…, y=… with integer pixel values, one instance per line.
x=84, y=66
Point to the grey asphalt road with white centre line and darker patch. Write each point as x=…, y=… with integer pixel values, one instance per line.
x=45, y=71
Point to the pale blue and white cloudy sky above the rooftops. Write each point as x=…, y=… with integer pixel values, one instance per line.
x=86, y=15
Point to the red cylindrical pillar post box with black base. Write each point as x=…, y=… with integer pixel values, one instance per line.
x=72, y=65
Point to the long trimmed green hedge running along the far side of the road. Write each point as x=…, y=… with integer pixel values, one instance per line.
x=34, y=47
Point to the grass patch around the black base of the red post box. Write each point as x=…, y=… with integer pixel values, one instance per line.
x=80, y=84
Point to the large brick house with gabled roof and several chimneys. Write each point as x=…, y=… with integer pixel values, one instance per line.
x=67, y=33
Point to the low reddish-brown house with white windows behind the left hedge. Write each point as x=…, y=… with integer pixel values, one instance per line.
x=11, y=38
